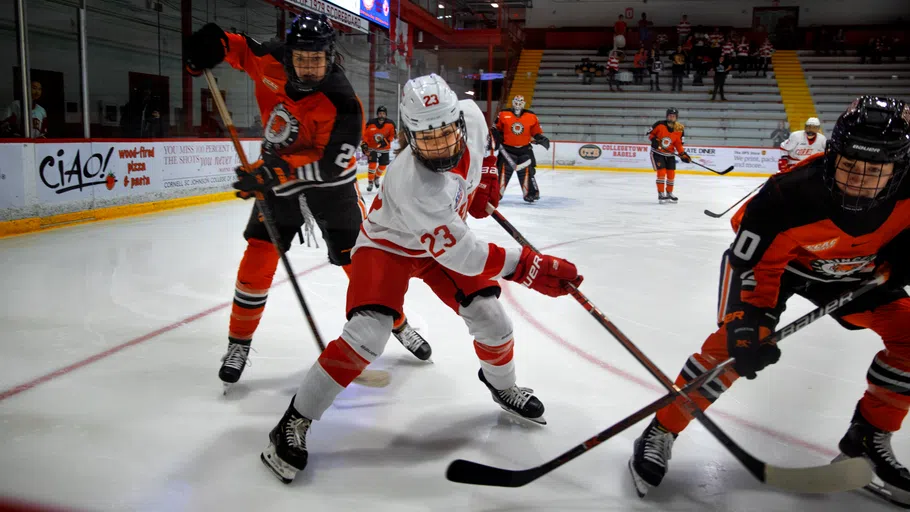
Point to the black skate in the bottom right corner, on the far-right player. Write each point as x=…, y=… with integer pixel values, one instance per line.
x=864, y=440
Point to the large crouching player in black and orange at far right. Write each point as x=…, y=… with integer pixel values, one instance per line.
x=818, y=231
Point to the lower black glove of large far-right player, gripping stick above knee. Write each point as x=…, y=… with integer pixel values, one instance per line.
x=744, y=334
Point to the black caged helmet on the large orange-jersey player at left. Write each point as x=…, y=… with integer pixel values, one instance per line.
x=309, y=33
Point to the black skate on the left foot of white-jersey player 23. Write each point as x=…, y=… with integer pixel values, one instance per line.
x=286, y=453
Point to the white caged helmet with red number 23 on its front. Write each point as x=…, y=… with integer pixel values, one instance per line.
x=433, y=122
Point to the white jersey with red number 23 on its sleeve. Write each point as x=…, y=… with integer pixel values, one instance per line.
x=421, y=214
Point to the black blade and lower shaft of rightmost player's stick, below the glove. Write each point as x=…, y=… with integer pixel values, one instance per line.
x=467, y=472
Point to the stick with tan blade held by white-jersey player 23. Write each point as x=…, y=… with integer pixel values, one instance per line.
x=834, y=477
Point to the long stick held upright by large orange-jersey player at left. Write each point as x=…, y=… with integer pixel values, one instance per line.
x=371, y=378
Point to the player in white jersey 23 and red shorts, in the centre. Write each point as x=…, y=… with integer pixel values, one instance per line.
x=416, y=228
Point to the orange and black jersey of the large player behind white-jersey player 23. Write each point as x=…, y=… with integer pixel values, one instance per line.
x=317, y=133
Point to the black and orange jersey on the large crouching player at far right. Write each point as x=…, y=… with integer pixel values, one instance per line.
x=793, y=225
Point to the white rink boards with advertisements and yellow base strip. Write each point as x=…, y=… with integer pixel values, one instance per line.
x=59, y=182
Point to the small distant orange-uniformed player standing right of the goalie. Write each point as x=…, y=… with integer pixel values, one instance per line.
x=667, y=137
